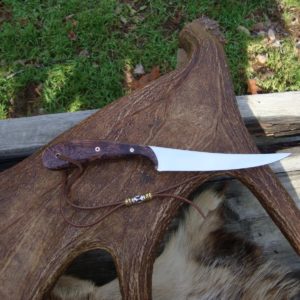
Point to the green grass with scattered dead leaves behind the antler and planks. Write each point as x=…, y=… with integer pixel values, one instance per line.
x=35, y=47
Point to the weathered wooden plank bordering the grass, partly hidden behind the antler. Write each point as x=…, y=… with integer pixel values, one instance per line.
x=264, y=114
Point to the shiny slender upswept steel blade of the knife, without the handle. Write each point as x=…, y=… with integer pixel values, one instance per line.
x=184, y=160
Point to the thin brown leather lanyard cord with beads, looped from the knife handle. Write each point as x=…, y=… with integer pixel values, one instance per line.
x=68, y=183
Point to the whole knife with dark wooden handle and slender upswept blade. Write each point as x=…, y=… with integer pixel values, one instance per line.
x=164, y=159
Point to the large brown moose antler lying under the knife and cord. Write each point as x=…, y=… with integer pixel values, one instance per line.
x=193, y=108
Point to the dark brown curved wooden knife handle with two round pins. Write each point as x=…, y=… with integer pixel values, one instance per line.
x=89, y=150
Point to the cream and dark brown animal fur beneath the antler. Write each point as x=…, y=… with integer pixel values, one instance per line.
x=201, y=260
